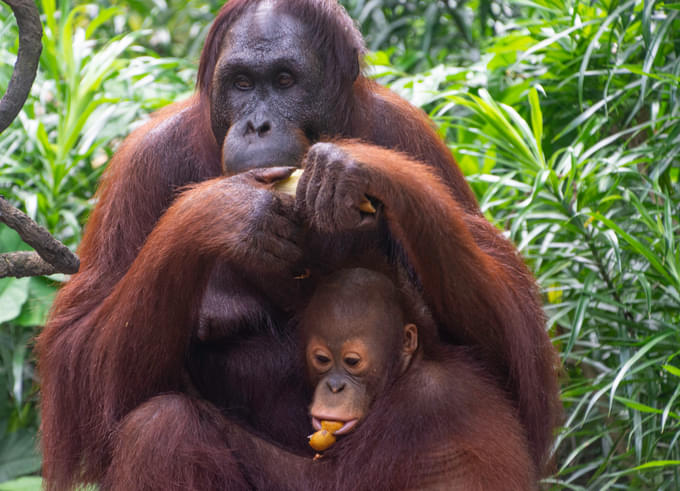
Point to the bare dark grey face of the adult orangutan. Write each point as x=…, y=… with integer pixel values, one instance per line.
x=268, y=98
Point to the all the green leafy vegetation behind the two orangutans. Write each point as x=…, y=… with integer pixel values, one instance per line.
x=563, y=114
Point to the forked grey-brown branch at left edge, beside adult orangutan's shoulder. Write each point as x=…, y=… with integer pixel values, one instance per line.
x=51, y=257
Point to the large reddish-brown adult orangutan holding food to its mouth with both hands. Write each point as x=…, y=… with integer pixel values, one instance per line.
x=176, y=327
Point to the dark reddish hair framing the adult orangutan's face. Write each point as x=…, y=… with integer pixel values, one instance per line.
x=333, y=35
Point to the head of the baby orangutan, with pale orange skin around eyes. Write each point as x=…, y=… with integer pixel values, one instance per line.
x=356, y=344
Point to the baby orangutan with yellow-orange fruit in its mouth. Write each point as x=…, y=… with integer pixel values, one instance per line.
x=409, y=414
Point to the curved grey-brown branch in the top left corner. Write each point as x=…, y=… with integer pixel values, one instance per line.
x=26, y=66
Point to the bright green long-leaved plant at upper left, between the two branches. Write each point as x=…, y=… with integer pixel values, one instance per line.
x=88, y=92
